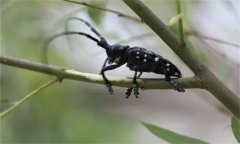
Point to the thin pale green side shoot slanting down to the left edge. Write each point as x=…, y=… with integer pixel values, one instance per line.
x=25, y=98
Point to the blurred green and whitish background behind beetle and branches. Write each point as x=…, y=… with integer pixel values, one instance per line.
x=79, y=112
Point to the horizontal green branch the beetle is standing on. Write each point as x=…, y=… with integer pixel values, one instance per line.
x=191, y=82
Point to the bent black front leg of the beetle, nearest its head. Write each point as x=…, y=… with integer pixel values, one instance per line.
x=107, y=83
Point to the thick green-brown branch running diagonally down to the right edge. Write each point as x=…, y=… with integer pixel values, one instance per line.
x=209, y=81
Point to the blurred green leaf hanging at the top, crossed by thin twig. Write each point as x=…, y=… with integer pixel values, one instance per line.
x=95, y=14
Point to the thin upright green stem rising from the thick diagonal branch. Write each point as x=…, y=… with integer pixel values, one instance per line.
x=180, y=24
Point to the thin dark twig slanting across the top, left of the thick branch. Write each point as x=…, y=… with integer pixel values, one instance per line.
x=120, y=14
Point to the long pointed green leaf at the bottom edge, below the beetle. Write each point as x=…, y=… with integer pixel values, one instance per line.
x=171, y=137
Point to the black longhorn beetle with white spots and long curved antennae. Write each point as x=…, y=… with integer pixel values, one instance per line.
x=138, y=59
